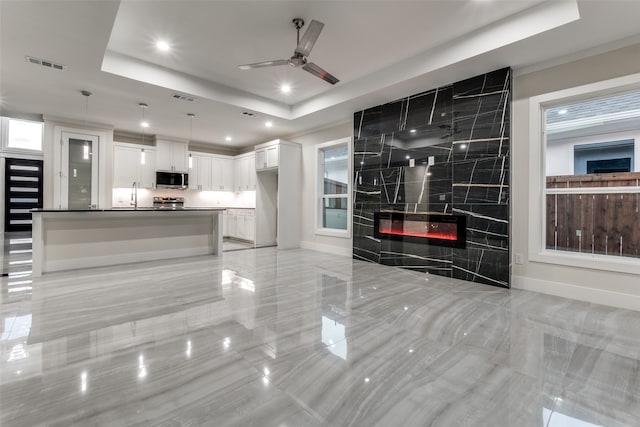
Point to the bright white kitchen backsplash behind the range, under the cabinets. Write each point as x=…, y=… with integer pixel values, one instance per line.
x=192, y=198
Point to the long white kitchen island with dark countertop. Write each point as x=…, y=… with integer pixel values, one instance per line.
x=72, y=239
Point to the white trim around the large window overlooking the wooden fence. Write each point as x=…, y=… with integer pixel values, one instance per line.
x=537, y=178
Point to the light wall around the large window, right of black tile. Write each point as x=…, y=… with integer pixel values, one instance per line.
x=606, y=287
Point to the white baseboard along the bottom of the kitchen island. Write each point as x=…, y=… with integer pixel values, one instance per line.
x=103, y=261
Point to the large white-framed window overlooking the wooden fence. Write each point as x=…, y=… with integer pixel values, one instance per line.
x=585, y=176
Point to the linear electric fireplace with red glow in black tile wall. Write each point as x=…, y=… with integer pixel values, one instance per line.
x=434, y=229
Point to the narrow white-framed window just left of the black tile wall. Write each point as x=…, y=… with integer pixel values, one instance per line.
x=334, y=188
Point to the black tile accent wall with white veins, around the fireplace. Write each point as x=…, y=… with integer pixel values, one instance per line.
x=442, y=151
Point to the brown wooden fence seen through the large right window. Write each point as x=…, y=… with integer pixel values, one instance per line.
x=582, y=216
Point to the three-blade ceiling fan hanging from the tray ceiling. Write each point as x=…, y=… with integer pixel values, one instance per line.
x=299, y=58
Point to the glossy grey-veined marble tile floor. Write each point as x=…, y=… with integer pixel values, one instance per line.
x=264, y=337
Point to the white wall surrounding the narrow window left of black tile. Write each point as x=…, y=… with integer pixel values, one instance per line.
x=309, y=239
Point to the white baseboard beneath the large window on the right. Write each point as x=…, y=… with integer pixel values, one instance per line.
x=581, y=293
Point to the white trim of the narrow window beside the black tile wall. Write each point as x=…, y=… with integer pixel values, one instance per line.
x=319, y=230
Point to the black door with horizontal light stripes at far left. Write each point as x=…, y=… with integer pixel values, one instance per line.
x=23, y=192
